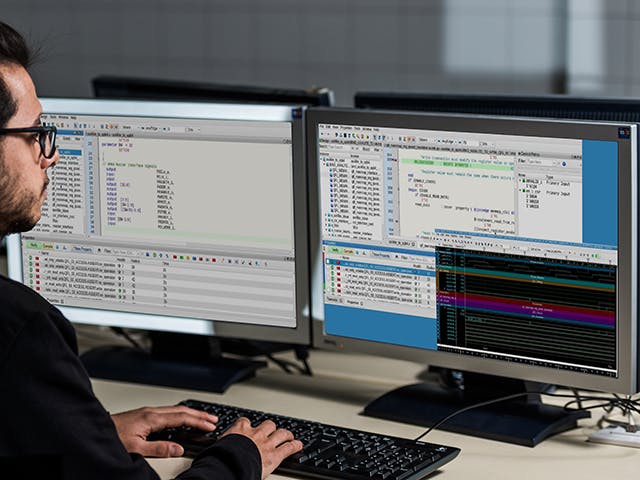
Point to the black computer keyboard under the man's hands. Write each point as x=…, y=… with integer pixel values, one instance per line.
x=329, y=452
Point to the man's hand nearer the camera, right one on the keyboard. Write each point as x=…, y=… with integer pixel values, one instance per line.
x=274, y=444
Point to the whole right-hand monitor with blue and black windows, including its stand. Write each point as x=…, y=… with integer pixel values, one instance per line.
x=495, y=245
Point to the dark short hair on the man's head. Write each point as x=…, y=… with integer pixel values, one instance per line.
x=13, y=51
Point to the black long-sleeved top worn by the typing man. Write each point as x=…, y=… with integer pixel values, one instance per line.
x=51, y=424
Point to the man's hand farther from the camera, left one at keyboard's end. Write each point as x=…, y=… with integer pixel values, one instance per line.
x=135, y=425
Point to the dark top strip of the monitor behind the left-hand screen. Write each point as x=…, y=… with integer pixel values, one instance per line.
x=117, y=87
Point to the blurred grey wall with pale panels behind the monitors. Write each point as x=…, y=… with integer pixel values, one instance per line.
x=582, y=47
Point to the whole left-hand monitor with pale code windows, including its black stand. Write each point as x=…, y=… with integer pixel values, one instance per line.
x=174, y=217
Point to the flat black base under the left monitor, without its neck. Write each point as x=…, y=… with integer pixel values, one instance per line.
x=136, y=366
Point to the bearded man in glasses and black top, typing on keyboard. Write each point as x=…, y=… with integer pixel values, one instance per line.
x=51, y=424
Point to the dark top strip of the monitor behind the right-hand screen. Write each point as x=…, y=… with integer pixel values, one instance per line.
x=550, y=106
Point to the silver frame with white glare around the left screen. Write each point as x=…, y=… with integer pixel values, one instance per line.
x=219, y=328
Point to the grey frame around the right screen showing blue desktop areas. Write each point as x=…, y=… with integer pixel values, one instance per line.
x=626, y=382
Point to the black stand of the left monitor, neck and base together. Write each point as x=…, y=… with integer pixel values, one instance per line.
x=176, y=360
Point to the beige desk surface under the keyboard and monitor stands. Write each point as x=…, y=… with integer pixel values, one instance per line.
x=340, y=389
